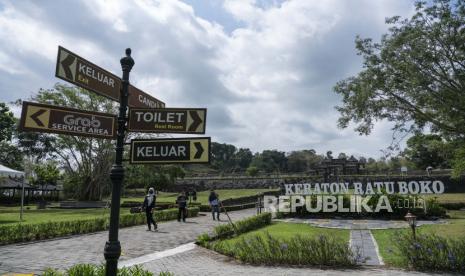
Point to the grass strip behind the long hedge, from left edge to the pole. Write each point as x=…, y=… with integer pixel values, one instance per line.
x=10, y=215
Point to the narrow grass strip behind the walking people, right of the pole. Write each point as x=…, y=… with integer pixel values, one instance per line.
x=202, y=197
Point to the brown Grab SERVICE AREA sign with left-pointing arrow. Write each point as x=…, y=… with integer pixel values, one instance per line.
x=62, y=120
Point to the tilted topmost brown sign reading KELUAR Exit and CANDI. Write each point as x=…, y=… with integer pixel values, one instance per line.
x=83, y=73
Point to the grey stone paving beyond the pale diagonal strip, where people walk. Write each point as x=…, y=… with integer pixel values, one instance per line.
x=135, y=242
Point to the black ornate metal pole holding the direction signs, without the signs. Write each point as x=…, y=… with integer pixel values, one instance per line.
x=112, y=249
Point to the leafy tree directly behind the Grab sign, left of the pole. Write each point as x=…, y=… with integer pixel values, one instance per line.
x=86, y=161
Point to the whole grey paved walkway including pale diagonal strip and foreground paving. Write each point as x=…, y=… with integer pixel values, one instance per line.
x=170, y=249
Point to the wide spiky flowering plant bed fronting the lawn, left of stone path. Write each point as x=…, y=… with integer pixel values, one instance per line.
x=298, y=250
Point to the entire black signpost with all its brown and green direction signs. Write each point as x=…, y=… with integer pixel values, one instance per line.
x=147, y=115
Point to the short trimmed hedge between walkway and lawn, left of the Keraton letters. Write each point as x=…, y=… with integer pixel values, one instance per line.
x=243, y=226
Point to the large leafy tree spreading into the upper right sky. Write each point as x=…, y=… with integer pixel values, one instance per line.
x=415, y=76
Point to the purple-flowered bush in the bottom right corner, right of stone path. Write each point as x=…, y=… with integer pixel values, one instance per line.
x=431, y=252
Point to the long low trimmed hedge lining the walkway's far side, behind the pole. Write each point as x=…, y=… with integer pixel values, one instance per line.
x=52, y=229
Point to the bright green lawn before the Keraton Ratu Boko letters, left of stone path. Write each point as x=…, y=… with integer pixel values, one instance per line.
x=285, y=230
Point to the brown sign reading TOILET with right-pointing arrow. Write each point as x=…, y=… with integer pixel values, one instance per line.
x=168, y=120
